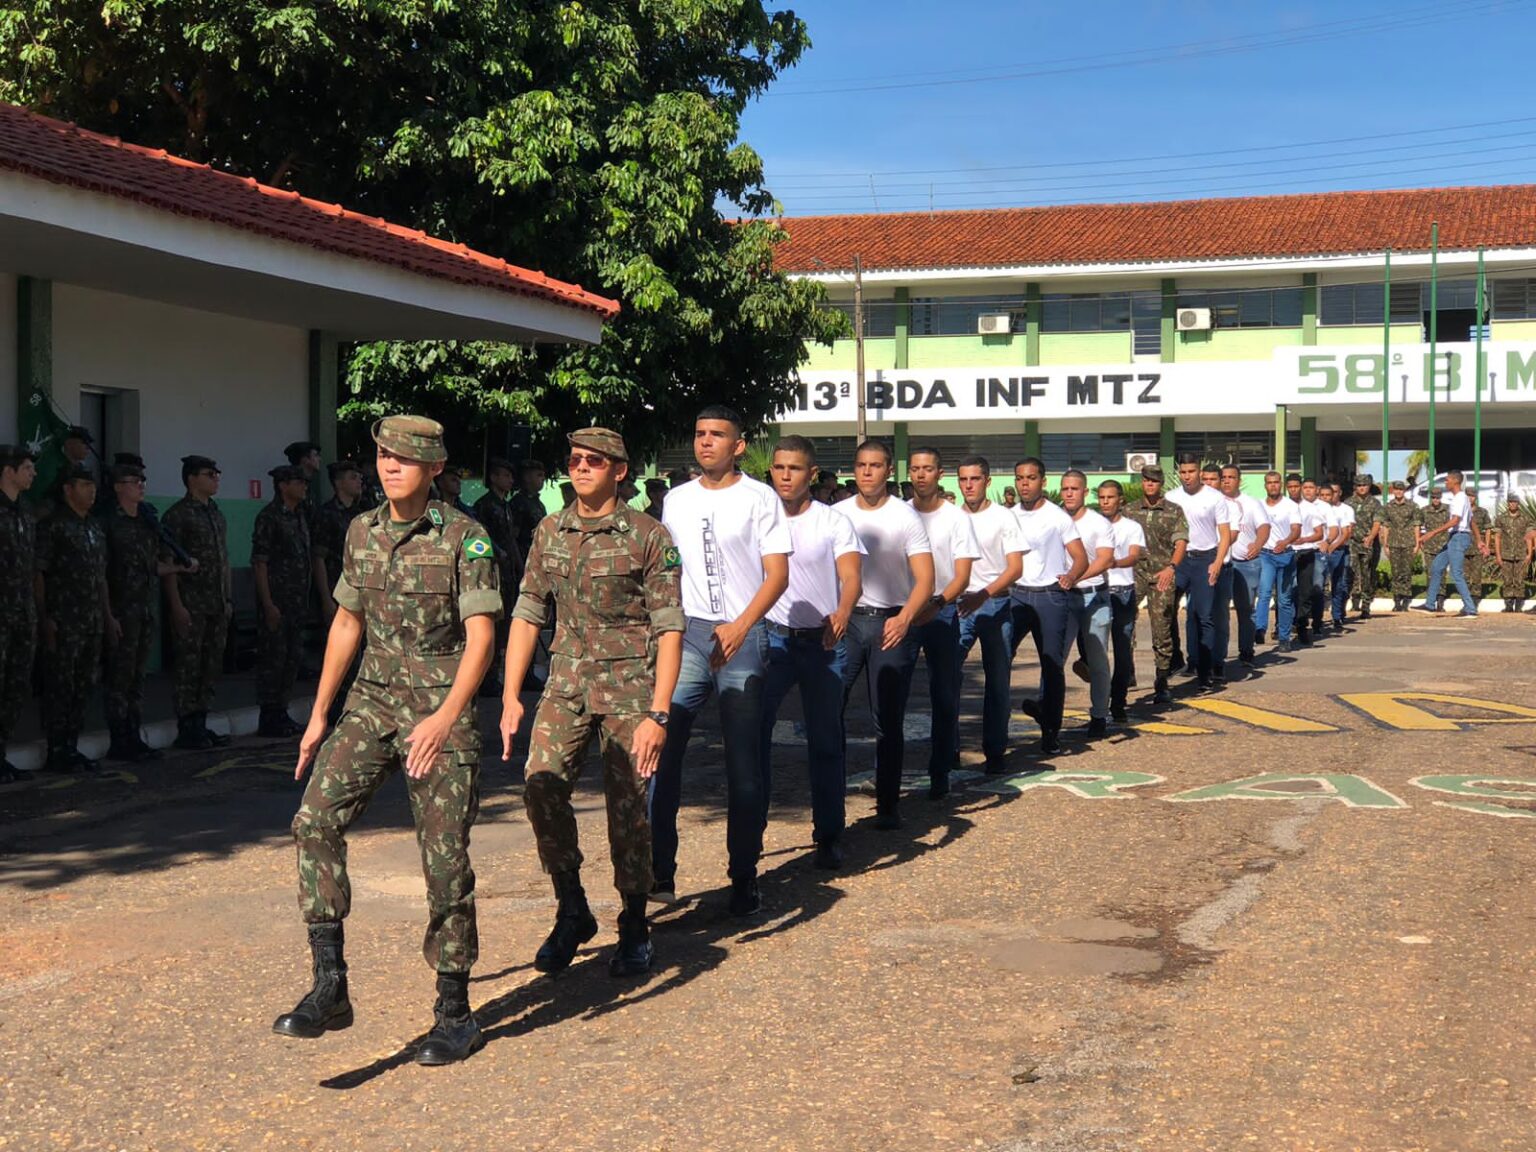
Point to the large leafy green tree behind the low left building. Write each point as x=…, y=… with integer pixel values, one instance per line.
x=595, y=142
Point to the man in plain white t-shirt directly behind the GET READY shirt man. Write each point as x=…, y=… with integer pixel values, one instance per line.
x=806, y=640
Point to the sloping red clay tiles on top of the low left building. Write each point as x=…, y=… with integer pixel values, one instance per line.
x=65, y=154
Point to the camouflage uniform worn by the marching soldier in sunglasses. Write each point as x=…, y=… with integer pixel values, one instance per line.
x=615, y=584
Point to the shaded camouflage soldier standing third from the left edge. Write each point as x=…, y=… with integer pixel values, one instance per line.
x=136, y=561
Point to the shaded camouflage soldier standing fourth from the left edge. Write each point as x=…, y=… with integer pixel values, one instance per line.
x=200, y=601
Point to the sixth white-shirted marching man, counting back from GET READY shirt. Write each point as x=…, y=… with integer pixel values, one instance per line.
x=1054, y=561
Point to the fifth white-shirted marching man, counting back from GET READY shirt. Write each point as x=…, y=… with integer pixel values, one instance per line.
x=985, y=609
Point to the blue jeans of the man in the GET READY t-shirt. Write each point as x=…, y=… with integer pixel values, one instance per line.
x=740, y=689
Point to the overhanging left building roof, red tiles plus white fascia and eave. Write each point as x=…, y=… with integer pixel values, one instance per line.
x=88, y=210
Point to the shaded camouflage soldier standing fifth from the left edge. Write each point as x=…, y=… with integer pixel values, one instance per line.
x=280, y=561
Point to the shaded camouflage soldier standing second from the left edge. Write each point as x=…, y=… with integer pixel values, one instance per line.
x=71, y=594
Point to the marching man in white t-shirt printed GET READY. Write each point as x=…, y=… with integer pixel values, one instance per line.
x=735, y=549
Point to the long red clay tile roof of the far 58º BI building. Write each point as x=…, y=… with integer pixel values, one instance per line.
x=1180, y=231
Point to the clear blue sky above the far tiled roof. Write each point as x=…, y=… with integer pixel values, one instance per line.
x=1154, y=101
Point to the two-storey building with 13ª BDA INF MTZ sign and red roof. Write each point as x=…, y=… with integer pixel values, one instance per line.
x=1245, y=329
